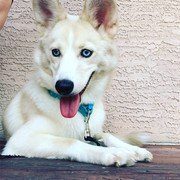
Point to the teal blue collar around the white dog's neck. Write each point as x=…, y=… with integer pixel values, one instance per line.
x=84, y=109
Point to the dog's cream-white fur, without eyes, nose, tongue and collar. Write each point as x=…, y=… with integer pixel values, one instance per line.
x=33, y=122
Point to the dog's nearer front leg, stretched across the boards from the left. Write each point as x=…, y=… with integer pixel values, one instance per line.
x=38, y=138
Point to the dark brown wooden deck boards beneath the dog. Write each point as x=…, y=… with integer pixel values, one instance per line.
x=166, y=165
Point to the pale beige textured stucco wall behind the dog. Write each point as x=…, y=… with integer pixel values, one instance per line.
x=145, y=92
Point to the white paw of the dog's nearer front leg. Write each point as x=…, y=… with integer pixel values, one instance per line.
x=118, y=157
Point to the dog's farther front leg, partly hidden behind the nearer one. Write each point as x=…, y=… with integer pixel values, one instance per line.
x=109, y=140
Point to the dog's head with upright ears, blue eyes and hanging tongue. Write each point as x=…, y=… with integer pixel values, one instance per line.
x=76, y=54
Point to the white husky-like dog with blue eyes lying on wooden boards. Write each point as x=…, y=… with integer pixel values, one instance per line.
x=60, y=113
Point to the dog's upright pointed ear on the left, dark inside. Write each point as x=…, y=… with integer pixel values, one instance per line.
x=48, y=12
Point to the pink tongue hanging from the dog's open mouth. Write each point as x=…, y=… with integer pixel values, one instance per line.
x=69, y=106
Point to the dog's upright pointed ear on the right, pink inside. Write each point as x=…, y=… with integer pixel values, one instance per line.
x=101, y=13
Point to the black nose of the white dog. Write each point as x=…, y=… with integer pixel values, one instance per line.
x=64, y=87
